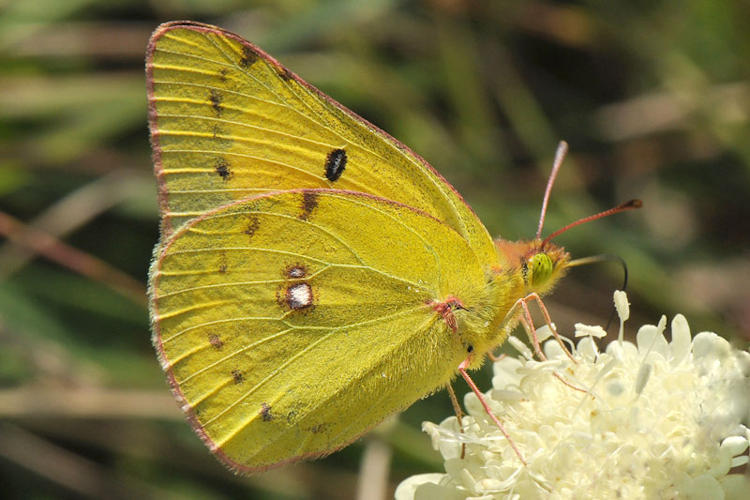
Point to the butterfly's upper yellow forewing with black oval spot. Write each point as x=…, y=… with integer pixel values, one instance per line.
x=228, y=121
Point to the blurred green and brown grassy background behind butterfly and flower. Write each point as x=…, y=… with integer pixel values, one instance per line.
x=653, y=98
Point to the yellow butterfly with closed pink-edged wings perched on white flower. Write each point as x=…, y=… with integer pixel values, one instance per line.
x=314, y=275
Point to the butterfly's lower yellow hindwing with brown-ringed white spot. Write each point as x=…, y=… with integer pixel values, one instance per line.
x=292, y=322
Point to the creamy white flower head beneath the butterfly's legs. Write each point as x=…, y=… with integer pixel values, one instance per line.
x=658, y=420
